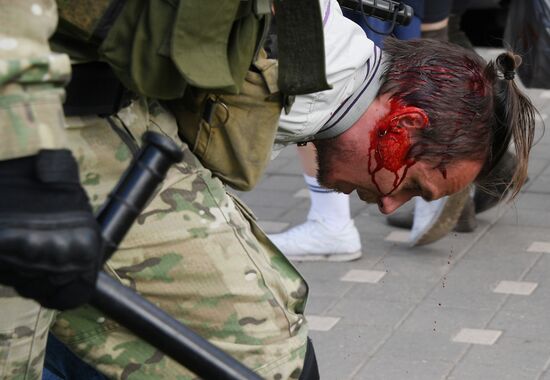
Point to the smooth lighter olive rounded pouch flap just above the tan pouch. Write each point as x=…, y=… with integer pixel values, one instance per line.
x=231, y=43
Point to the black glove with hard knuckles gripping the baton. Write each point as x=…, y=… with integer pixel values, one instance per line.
x=50, y=244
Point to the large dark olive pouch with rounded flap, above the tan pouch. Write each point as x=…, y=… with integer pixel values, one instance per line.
x=158, y=47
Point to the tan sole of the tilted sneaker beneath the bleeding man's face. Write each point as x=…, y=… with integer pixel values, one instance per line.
x=445, y=221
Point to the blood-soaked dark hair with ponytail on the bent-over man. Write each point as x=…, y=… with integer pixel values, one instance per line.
x=474, y=108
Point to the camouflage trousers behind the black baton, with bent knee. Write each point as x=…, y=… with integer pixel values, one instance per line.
x=195, y=251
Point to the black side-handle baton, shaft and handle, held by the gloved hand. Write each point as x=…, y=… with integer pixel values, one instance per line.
x=124, y=305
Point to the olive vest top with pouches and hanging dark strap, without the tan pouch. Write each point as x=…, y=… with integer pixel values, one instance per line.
x=156, y=48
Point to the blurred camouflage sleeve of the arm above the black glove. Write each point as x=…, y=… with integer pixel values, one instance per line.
x=31, y=79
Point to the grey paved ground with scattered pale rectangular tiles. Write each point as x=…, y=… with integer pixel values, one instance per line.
x=470, y=306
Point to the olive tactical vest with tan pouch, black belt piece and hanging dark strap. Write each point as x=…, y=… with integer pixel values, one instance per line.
x=200, y=57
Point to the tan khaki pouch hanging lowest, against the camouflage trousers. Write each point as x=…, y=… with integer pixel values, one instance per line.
x=233, y=135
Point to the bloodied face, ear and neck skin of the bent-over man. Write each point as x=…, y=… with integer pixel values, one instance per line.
x=372, y=158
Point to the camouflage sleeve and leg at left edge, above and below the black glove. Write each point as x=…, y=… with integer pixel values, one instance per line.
x=31, y=118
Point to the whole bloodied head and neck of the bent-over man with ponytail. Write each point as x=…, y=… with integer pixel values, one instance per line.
x=440, y=119
